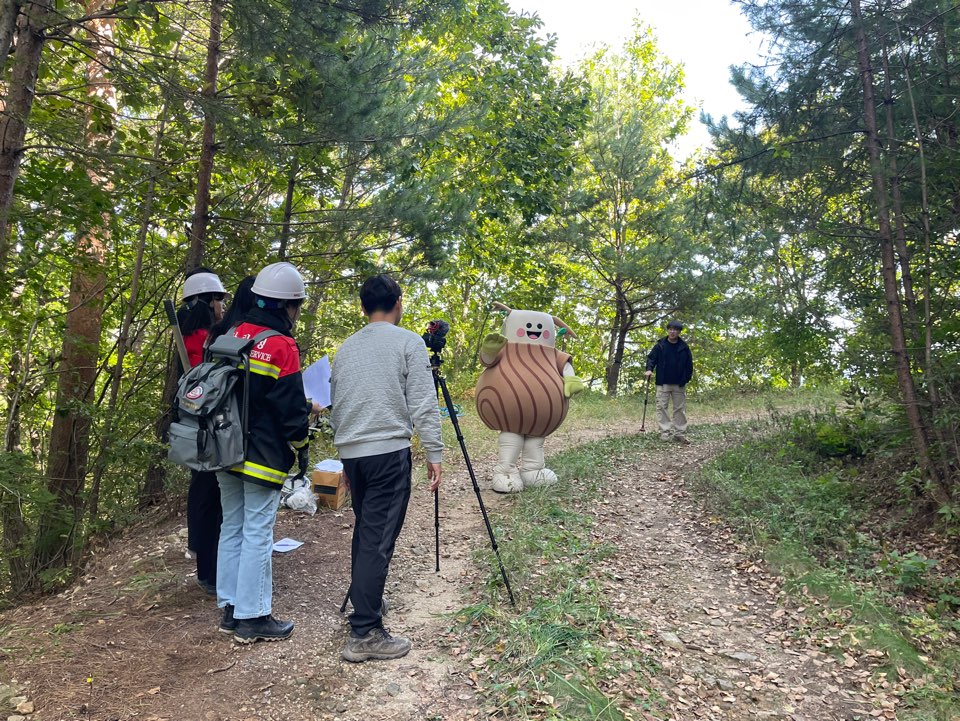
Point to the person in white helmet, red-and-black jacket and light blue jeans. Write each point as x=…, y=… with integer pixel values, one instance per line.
x=277, y=437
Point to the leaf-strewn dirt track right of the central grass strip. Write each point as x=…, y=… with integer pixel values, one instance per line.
x=728, y=647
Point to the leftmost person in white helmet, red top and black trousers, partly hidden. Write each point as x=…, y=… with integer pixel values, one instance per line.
x=203, y=296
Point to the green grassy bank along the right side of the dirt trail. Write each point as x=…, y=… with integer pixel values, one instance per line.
x=800, y=498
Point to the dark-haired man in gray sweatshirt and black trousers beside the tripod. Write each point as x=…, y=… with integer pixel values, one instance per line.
x=381, y=388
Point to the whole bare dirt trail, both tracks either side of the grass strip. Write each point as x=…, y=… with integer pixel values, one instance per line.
x=135, y=638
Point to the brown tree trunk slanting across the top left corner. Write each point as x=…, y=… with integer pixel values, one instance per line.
x=16, y=112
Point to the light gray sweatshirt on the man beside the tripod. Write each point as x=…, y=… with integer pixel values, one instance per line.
x=381, y=388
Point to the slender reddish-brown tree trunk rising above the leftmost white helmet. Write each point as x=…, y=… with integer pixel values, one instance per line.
x=201, y=207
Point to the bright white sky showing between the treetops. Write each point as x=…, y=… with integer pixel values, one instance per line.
x=705, y=36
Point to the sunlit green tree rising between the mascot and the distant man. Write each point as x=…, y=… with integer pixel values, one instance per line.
x=626, y=215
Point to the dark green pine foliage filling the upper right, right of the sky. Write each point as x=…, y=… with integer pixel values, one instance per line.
x=802, y=210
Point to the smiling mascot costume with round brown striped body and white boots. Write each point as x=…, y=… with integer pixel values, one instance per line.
x=523, y=392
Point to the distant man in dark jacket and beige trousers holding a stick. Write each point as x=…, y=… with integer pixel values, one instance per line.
x=673, y=361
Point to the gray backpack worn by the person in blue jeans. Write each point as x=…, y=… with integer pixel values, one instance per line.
x=209, y=430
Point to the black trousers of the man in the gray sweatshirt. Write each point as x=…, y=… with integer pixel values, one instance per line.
x=380, y=490
